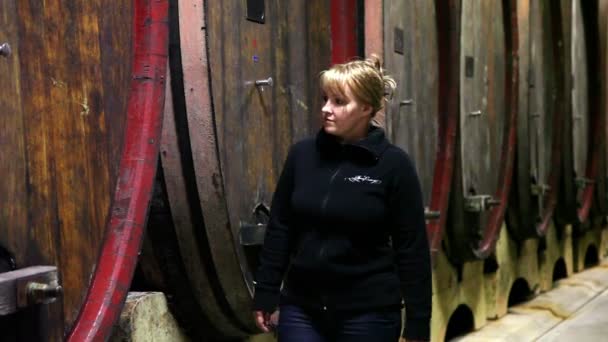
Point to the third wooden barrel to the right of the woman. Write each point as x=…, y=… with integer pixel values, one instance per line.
x=539, y=121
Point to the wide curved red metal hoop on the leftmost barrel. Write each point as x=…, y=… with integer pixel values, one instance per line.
x=112, y=277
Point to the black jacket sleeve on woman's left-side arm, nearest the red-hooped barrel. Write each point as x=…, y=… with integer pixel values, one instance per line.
x=278, y=240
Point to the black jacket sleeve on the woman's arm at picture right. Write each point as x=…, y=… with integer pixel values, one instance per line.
x=410, y=243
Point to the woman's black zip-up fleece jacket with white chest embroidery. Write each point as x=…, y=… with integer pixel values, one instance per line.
x=347, y=225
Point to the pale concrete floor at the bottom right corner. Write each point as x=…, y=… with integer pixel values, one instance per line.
x=575, y=310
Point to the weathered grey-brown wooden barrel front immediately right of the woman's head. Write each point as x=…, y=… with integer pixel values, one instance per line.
x=411, y=56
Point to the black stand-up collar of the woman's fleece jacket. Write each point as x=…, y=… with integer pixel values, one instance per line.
x=373, y=145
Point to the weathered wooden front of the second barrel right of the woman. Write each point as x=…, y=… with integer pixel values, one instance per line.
x=482, y=106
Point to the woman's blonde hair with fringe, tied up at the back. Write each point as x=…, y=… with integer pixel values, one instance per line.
x=366, y=80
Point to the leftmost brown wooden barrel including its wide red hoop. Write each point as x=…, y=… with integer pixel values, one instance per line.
x=80, y=99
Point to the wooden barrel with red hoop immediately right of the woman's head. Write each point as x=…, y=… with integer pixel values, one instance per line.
x=414, y=121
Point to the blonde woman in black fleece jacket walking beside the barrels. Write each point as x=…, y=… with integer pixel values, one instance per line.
x=346, y=239
